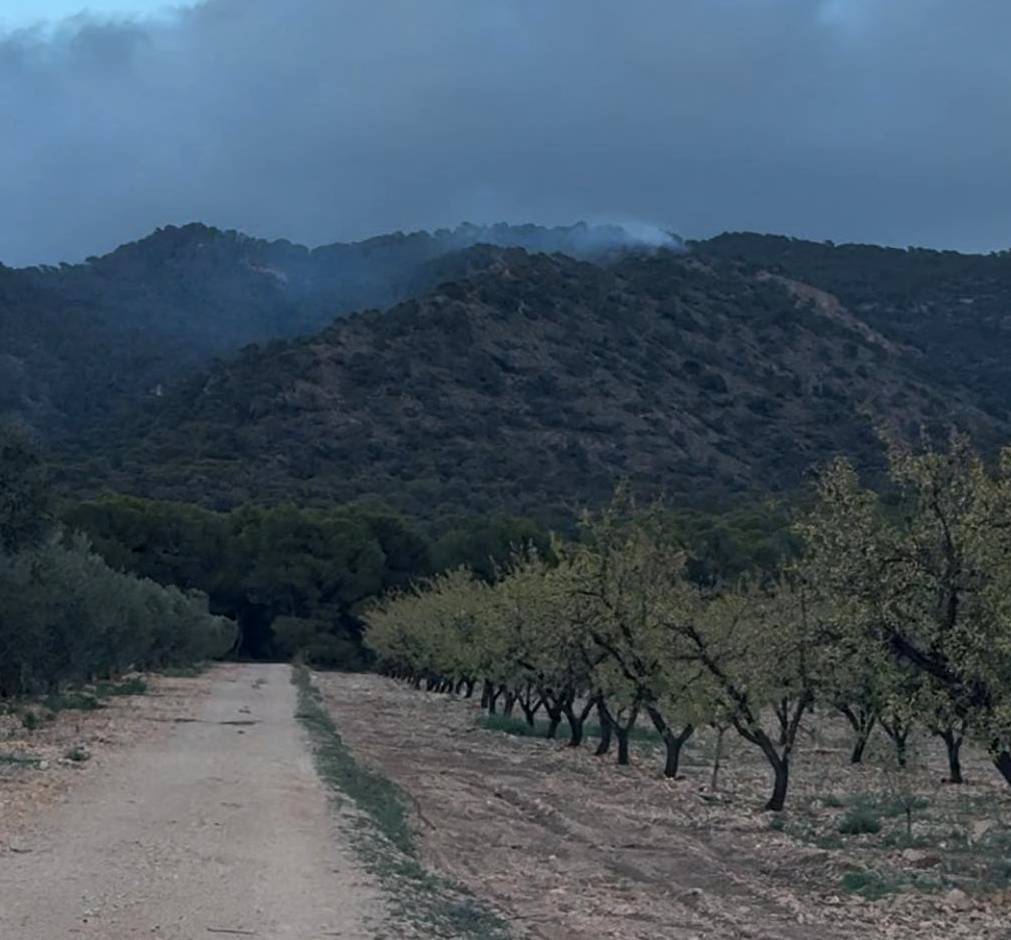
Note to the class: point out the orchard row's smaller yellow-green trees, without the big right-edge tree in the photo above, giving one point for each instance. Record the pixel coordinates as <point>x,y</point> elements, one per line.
<point>617,619</point>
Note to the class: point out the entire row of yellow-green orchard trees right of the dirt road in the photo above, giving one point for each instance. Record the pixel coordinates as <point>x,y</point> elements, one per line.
<point>897,611</point>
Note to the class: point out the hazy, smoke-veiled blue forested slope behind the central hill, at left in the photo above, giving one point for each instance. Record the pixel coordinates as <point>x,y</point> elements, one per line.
<point>82,344</point>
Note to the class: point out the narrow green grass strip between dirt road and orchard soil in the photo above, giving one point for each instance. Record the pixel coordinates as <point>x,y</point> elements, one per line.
<point>384,837</point>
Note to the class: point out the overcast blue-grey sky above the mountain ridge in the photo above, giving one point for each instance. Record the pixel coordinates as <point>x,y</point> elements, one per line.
<point>323,121</point>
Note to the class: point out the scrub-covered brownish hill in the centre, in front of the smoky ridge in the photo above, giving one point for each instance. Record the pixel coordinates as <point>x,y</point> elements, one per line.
<point>533,384</point>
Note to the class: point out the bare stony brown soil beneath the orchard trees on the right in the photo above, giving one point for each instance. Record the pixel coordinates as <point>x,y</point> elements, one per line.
<point>572,847</point>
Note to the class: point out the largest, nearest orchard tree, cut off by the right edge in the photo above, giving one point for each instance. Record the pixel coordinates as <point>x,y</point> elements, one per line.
<point>929,582</point>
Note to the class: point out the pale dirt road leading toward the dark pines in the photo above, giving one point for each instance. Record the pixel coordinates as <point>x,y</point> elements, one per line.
<point>221,830</point>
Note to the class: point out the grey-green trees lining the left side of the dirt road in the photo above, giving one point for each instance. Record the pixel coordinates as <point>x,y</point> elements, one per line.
<point>65,615</point>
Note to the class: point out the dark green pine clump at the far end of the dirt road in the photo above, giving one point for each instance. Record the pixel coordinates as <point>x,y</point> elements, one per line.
<point>293,579</point>
